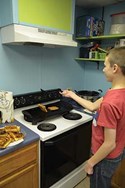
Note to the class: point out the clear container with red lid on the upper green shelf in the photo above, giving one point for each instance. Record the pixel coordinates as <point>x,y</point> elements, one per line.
<point>118,23</point>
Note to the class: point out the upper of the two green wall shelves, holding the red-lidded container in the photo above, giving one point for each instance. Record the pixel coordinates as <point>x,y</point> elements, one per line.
<point>101,37</point>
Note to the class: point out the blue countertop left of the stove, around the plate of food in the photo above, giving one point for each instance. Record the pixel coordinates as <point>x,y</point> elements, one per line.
<point>30,137</point>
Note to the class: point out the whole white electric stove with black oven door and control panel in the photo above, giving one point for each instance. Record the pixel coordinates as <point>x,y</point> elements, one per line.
<point>63,149</point>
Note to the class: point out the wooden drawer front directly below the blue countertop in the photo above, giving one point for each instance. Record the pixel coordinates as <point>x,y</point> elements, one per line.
<point>18,159</point>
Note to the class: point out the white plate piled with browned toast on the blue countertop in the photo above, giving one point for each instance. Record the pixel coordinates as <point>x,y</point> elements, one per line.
<point>11,135</point>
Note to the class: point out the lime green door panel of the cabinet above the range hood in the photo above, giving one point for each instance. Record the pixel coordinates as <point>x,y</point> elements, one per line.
<point>56,14</point>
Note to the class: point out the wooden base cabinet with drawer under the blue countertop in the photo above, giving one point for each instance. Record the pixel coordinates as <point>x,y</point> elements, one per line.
<point>20,168</point>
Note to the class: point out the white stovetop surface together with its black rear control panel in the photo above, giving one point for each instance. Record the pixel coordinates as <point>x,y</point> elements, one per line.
<point>30,100</point>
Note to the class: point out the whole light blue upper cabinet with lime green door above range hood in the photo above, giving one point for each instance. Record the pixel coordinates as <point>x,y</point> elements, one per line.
<point>56,15</point>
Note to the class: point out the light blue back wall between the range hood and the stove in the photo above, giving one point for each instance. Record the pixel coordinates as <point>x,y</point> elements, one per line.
<point>27,68</point>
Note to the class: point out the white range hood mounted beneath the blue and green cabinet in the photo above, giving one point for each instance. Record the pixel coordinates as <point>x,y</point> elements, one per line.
<point>20,34</point>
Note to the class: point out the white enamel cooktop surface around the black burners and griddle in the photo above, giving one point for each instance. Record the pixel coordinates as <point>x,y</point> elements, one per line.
<point>61,123</point>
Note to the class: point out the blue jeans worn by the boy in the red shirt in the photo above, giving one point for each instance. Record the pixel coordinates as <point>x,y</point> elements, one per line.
<point>103,171</point>
